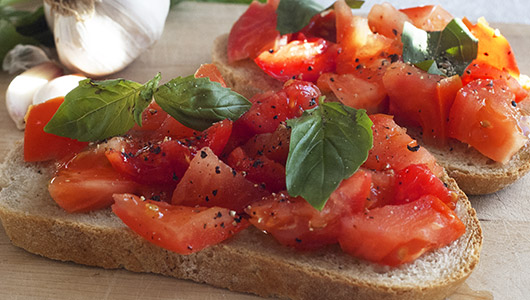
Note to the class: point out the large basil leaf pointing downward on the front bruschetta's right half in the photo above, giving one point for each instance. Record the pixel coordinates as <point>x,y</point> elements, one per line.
<point>328,144</point>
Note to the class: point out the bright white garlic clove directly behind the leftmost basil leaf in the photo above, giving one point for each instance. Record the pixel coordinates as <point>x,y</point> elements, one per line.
<point>57,87</point>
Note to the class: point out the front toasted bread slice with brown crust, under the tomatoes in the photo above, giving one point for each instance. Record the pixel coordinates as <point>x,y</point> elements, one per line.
<point>250,262</point>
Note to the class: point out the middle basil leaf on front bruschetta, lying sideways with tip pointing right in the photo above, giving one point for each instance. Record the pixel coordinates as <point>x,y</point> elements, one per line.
<point>198,102</point>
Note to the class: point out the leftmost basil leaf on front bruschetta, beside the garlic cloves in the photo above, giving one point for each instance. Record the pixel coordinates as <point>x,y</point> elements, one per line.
<point>96,110</point>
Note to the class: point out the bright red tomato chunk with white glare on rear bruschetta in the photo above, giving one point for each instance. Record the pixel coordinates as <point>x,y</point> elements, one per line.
<point>300,59</point>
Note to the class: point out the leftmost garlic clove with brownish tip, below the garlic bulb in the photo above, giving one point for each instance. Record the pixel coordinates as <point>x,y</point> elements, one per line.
<point>19,94</point>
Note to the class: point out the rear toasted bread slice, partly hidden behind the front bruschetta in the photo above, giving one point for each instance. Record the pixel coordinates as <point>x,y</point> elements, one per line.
<point>474,173</point>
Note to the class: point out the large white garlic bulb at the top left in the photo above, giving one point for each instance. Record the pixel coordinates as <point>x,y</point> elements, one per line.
<point>100,37</point>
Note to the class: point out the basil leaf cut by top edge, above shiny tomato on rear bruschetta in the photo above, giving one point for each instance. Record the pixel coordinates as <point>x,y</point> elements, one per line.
<point>293,15</point>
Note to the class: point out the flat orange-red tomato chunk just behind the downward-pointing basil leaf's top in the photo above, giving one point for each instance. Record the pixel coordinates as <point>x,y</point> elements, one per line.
<point>355,92</point>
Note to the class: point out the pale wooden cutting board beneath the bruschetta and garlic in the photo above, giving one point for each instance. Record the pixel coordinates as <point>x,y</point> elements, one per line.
<point>186,43</point>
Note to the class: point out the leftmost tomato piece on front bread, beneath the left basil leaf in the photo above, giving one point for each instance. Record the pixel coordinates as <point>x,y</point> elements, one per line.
<point>42,146</point>
